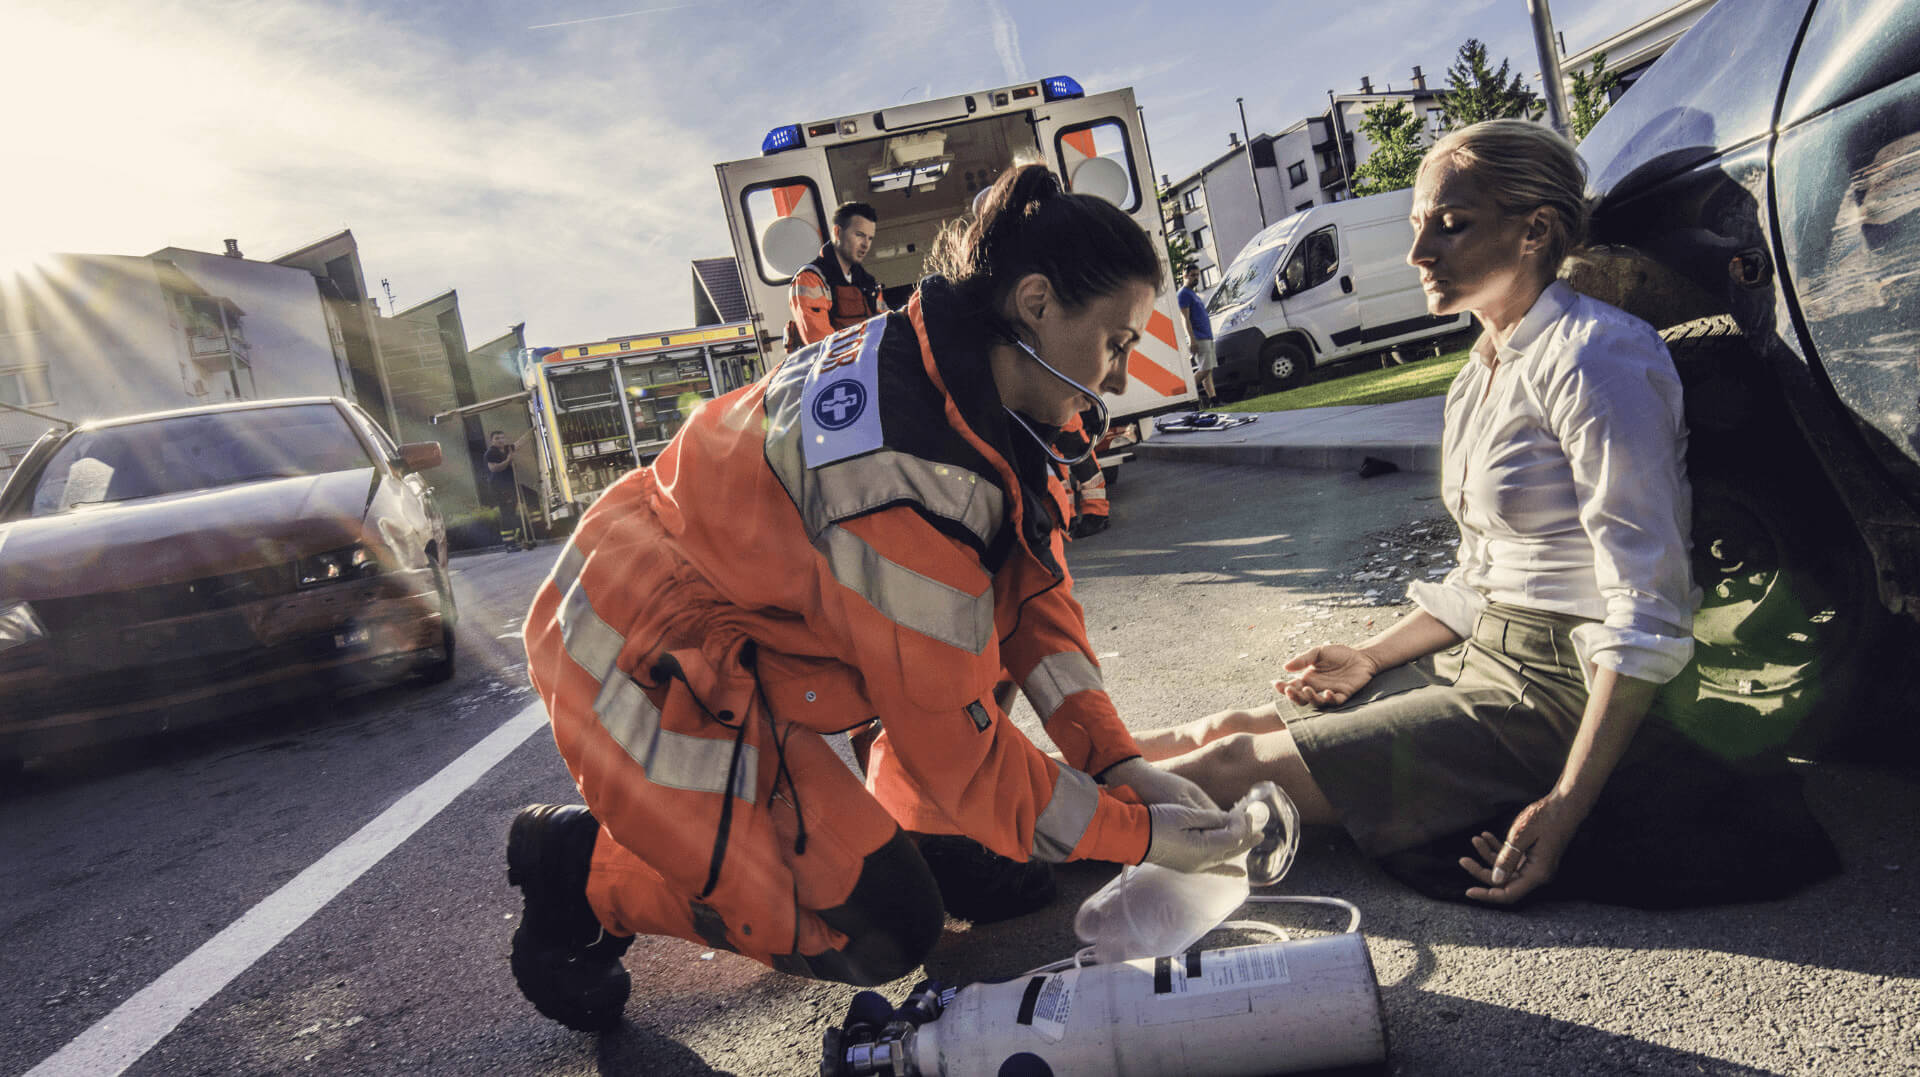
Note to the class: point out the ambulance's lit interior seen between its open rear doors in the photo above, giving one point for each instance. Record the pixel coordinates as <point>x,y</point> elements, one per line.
<point>923,179</point>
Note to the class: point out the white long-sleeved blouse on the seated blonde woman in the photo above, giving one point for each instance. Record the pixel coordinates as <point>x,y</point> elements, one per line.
<point>1564,462</point>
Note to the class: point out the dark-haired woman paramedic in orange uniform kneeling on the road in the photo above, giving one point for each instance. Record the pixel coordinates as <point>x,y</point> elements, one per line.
<point>869,533</point>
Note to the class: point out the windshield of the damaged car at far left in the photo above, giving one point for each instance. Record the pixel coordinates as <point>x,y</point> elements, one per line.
<point>197,452</point>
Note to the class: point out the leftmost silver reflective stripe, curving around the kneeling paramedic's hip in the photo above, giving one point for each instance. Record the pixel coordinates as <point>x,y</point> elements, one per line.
<point>671,759</point>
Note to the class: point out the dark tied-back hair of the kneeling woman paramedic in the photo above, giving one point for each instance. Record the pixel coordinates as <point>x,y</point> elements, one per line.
<point>1086,247</point>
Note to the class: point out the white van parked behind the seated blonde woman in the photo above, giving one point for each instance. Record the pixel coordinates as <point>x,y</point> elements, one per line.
<point>1326,285</point>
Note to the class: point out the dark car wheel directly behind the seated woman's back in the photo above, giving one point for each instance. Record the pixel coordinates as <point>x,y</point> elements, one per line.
<point>1790,634</point>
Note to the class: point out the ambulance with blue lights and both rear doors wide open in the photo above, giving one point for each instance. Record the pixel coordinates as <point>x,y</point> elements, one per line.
<point>921,166</point>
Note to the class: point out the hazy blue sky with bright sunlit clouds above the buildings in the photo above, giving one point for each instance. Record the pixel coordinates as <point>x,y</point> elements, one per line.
<point>552,160</point>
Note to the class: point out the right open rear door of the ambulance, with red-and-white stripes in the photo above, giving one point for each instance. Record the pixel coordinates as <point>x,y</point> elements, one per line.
<point>1097,149</point>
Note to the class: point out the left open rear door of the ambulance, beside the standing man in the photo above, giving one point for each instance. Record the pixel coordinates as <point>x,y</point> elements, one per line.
<point>777,210</point>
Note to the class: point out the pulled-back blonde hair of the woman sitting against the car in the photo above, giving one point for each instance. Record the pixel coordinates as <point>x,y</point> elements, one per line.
<point>1524,168</point>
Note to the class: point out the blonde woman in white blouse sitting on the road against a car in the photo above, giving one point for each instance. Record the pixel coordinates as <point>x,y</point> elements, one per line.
<point>1564,464</point>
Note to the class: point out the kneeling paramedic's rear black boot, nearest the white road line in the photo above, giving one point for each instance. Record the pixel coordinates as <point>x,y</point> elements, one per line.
<point>565,965</point>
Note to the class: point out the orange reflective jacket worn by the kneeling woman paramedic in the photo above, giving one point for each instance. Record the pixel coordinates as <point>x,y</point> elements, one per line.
<point>873,521</point>
